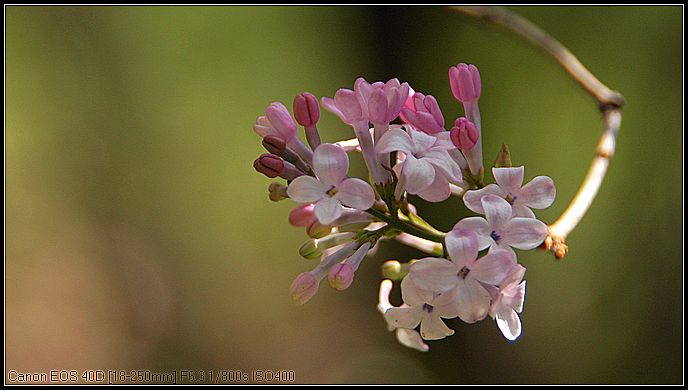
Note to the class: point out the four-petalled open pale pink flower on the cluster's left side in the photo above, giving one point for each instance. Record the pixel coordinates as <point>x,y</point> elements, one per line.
<point>331,189</point>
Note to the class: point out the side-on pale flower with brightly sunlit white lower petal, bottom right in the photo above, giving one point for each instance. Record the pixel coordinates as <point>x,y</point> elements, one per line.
<point>507,302</point>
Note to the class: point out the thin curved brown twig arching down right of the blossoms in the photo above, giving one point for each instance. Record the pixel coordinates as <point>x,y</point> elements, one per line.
<point>609,101</point>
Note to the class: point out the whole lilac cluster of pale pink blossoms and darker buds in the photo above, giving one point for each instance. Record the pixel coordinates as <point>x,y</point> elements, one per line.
<point>473,271</point>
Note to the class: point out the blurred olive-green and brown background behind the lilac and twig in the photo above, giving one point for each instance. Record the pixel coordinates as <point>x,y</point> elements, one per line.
<point>138,235</point>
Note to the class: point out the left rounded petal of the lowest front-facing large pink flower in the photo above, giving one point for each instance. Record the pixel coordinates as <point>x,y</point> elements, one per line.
<point>434,274</point>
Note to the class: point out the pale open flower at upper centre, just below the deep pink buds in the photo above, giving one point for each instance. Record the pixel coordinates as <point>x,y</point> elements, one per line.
<point>427,168</point>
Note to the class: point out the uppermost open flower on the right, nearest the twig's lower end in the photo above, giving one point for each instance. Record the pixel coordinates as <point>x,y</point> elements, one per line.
<point>539,193</point>
